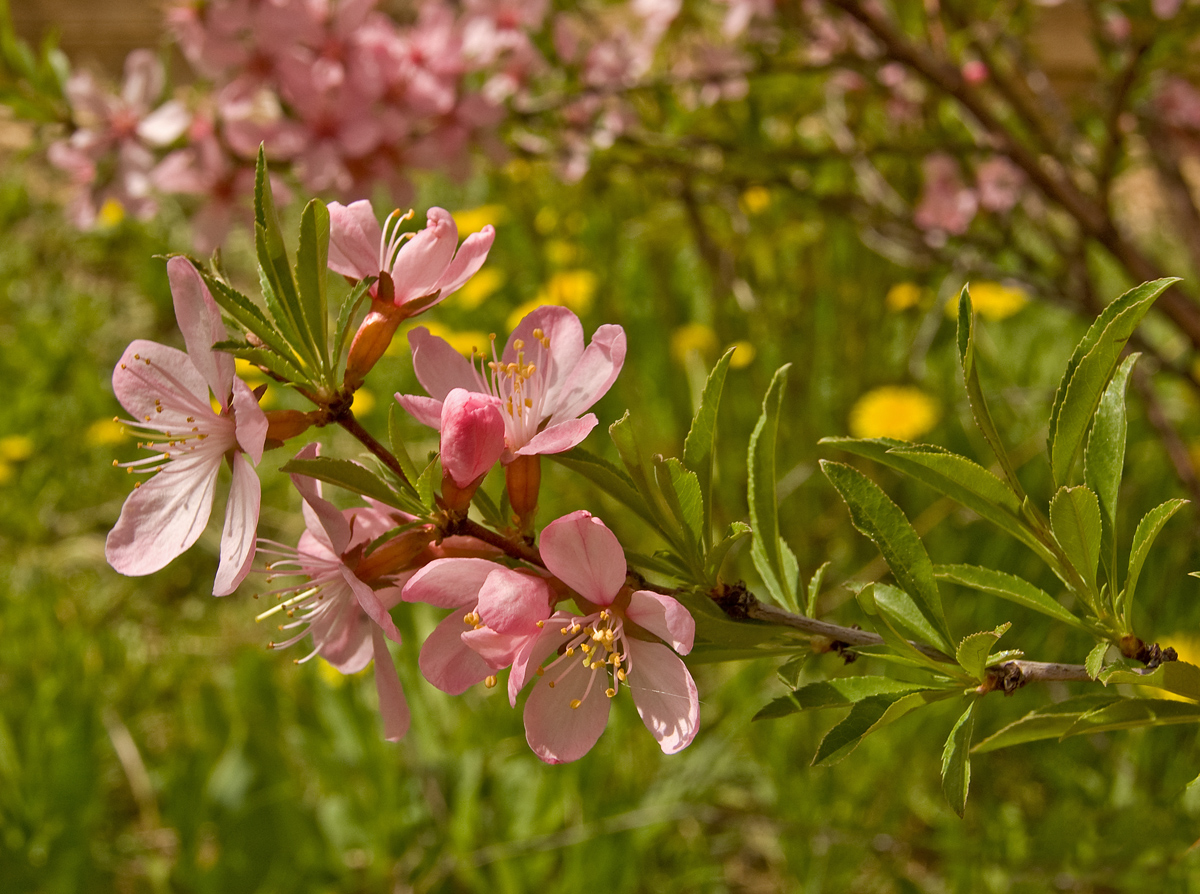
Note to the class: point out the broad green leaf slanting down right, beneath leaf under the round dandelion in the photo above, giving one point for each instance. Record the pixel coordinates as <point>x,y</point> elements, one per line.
<point>878,518</point>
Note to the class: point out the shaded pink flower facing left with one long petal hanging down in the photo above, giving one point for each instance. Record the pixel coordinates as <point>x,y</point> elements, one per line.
<point>341,602</point>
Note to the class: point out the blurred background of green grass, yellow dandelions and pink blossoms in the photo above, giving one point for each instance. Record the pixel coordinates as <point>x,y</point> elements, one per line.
<point>812,184</point>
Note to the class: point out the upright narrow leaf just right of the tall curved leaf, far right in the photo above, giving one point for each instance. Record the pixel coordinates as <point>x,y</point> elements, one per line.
<point>1105,463</point>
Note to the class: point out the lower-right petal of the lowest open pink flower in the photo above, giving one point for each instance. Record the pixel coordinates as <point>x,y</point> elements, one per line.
<point>665,695</point>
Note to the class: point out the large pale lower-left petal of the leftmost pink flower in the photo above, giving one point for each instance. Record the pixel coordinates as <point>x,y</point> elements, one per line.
<point>164,518</point>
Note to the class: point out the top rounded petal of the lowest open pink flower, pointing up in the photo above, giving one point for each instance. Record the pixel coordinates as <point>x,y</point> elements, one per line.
<point>581,553</point>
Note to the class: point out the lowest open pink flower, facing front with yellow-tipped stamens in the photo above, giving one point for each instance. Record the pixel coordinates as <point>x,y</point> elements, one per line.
<point>568,707</point>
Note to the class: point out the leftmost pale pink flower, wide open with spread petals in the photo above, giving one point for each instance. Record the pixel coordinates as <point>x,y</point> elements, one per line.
<point>167,393</point>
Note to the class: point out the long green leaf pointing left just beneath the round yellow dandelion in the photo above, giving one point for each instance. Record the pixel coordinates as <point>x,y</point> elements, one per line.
<point>961,483</point>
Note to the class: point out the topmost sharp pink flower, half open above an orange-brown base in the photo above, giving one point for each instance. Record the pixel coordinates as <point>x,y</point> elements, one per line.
<point>424,269</point>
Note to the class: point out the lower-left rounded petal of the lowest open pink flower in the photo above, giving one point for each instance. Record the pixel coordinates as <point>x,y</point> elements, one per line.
<point>555,730</point>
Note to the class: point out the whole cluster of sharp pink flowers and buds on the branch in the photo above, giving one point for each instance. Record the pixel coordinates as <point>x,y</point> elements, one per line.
<point>353,567</point>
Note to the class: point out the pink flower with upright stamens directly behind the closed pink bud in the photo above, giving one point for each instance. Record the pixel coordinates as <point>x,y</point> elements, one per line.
<point>543,382</point>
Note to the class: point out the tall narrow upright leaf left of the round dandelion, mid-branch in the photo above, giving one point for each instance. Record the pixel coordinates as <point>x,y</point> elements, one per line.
<point>770,553</point>
